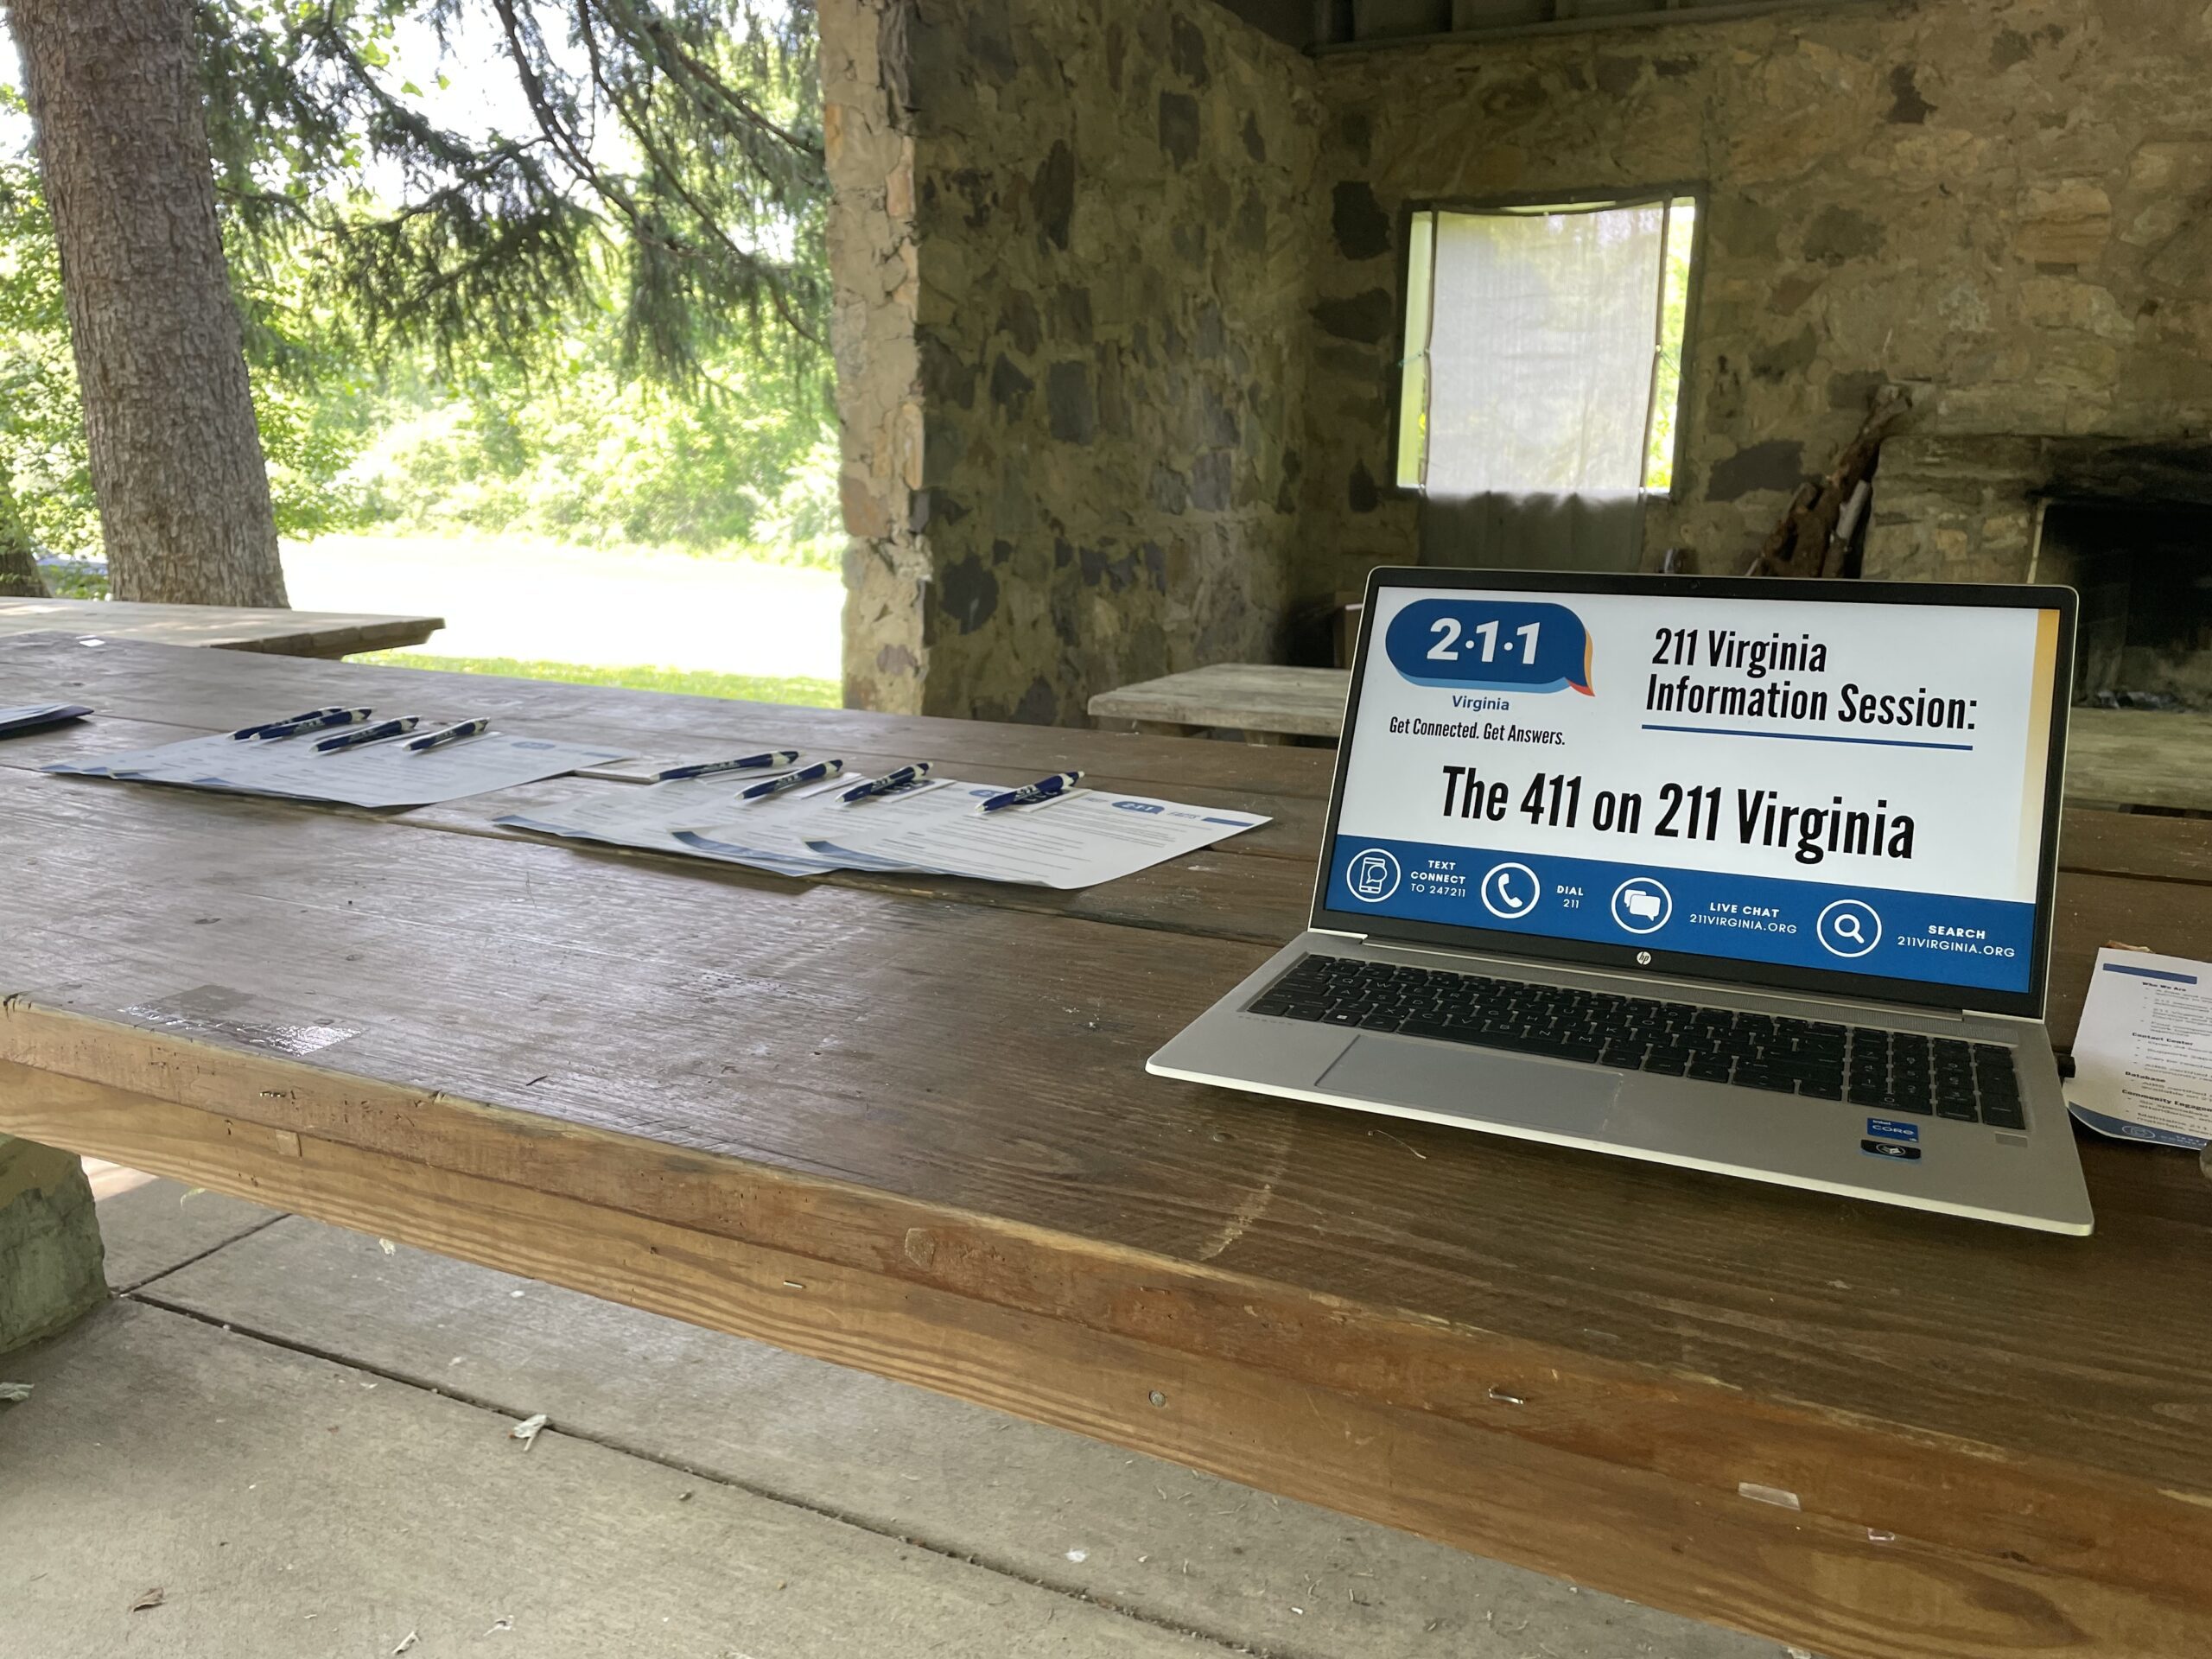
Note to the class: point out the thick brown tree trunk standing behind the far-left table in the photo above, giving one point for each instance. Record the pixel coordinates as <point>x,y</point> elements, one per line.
<point>185,494</point>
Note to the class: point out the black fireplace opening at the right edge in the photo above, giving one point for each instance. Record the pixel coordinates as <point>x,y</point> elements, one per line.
<point>2145,574</point>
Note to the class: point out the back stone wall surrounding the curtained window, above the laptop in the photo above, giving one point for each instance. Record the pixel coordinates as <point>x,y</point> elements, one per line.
<point>2003,205</point>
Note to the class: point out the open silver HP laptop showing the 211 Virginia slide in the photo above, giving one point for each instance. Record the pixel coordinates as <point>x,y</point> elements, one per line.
<point>1746,877</point>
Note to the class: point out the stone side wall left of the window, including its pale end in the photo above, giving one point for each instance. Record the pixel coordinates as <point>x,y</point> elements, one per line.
<point>1109,269</point>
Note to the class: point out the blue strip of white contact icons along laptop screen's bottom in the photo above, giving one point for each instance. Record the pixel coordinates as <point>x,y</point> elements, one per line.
<point>1755,919</point>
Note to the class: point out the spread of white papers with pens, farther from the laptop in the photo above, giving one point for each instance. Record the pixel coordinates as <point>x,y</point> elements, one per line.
<point>375,775</point>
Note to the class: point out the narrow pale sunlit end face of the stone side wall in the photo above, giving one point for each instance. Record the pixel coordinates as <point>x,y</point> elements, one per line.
<point>873,335</point>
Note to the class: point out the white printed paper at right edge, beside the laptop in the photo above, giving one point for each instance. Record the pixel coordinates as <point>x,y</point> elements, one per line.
<point>2145,1050</point>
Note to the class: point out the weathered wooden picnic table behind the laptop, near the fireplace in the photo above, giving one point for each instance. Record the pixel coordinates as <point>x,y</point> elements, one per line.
<point>2118,755</point>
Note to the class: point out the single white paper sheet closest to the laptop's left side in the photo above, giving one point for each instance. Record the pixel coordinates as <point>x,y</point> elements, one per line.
<point>1067,844</point>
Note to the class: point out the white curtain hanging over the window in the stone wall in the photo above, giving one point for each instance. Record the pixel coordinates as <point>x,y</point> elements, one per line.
<point>1541,351</point>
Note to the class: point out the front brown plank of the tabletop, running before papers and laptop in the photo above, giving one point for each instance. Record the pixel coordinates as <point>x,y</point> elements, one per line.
<point>811,1041</point>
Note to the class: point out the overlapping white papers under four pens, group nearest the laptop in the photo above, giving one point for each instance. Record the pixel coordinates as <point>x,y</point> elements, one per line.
<point>1078,839</point>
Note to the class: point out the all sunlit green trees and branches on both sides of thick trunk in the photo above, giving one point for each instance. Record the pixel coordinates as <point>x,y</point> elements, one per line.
<point>601,342</point>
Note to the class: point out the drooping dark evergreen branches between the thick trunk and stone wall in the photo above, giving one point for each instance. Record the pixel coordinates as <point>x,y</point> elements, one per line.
<point>674,160</point>
